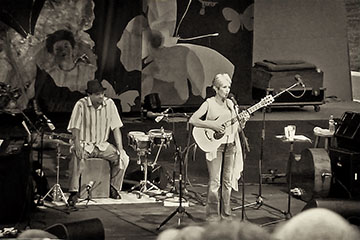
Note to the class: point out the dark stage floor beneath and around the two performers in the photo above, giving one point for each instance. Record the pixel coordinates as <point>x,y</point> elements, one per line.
<point>140,220</point>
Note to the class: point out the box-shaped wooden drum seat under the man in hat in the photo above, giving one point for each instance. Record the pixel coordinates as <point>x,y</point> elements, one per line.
<point>97,171</point>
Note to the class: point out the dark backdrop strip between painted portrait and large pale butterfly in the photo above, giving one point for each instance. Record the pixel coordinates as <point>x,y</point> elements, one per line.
<point>111,18</point>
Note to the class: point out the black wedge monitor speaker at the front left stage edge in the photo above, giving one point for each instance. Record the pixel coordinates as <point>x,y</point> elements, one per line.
<point>90,229</point>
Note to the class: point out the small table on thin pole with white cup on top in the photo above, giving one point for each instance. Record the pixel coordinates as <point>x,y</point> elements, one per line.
<point>298,139</point>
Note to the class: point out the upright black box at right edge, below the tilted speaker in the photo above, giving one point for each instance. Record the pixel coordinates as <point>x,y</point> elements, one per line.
<point>345,165</point>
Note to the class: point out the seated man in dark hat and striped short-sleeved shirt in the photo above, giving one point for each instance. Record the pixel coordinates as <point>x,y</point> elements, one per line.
<point>91,120</point>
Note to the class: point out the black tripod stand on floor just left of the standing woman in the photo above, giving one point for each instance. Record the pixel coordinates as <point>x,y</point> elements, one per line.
<point>180,209</point>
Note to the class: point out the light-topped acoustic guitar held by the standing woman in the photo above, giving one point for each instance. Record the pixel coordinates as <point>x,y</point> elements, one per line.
<point>208,140</point>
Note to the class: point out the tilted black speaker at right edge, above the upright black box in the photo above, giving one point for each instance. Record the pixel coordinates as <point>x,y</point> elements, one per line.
<point>348,132</point>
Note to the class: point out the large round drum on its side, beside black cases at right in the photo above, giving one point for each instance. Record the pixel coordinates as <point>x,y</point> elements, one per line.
<point>312,173</point>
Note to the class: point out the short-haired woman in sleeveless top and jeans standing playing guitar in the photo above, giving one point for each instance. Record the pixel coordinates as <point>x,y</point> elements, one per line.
<point>218,136</point>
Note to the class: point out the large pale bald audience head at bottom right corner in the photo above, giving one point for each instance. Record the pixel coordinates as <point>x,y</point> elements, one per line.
<point>316,223</point>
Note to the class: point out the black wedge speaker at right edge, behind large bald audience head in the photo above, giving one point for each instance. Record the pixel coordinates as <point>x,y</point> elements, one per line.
<point>349,209</point>
